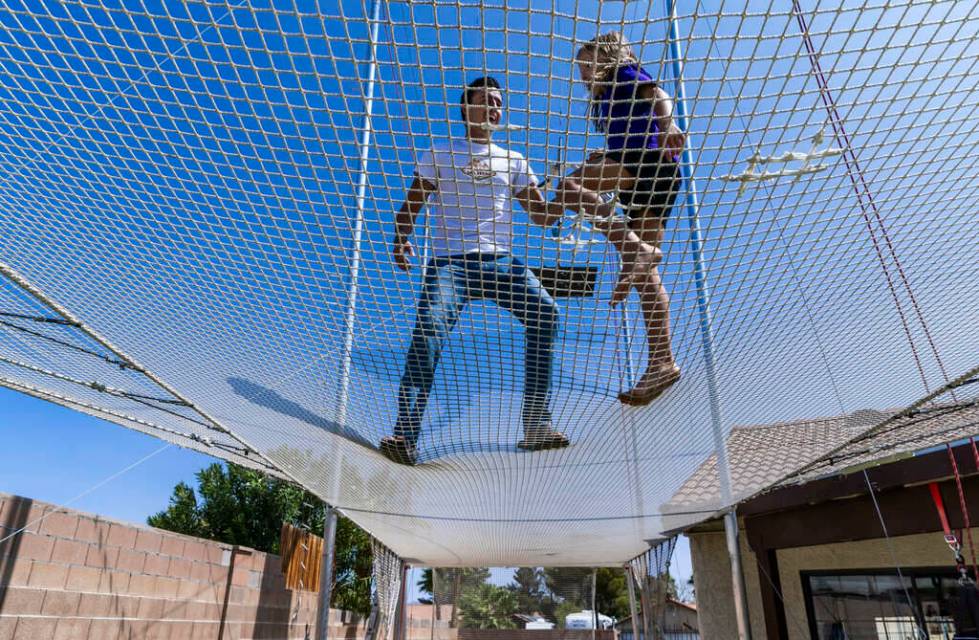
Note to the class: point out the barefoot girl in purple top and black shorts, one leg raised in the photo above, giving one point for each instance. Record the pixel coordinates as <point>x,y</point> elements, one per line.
<point>641,164</point>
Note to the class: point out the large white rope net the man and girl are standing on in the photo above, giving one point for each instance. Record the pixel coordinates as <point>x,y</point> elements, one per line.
<point>186,180</point>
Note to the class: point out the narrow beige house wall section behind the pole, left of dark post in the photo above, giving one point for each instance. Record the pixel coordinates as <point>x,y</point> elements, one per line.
<point>715,591</point>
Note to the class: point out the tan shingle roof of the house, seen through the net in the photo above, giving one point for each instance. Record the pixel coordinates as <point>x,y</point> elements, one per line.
<point>764,456</point>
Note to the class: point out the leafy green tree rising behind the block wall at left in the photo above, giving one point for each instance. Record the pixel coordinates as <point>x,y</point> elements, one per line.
<point>246,507</point>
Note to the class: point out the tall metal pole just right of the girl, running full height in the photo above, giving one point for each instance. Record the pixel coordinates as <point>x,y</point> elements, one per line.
<point>707,334</point>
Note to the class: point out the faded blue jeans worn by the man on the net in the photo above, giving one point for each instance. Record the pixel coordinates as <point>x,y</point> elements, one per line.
<point>449,284</point>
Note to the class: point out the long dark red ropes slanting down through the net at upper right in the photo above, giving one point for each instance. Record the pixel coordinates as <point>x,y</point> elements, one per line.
<point>862,189</point>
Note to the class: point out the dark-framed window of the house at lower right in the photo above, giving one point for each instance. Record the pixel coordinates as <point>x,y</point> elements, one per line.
<point>880,605</point>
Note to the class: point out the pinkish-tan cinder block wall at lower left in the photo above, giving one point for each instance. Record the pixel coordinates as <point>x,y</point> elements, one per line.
<point>77,576</point>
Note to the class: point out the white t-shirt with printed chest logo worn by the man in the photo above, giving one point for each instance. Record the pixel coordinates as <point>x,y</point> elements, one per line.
<point>473,205</point>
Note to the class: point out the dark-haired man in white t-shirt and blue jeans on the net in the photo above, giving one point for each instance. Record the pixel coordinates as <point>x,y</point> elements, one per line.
<point>474,183</point>
